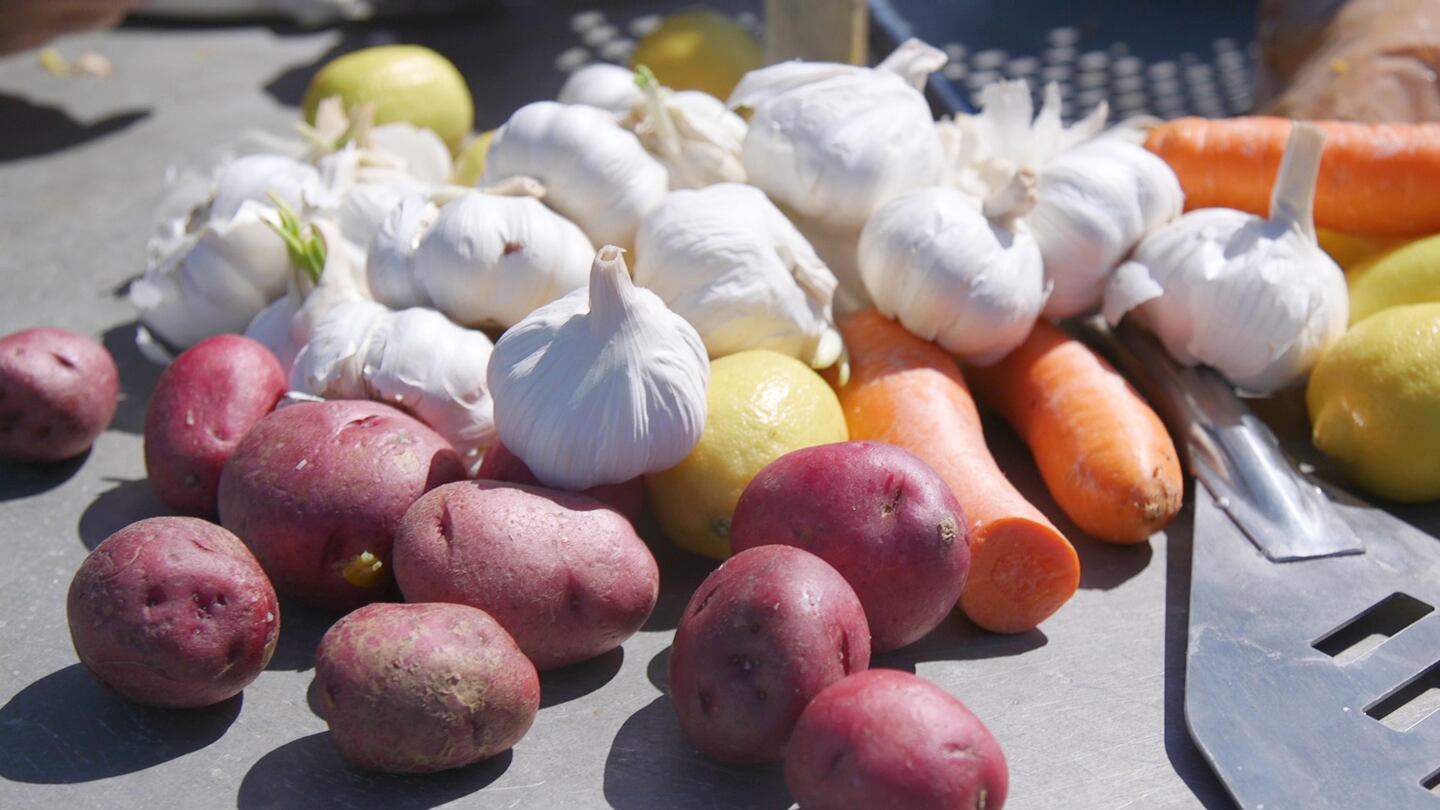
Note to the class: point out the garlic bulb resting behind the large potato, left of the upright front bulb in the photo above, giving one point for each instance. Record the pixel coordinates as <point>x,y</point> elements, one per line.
<point>364,351</point>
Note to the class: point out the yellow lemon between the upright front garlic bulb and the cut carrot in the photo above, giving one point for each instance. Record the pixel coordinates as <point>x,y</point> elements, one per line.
<point>761,406</point>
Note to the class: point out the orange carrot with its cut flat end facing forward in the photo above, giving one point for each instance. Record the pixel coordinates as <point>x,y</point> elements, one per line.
<point>909,393</point>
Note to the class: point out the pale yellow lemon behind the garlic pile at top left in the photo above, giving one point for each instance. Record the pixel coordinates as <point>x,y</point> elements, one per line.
<point>405,83</point>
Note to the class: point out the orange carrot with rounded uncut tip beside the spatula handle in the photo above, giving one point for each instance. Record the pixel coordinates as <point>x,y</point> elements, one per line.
<point>1104,453</point>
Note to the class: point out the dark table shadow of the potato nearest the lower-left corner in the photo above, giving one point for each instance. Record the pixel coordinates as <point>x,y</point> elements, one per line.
<point>67,729</point>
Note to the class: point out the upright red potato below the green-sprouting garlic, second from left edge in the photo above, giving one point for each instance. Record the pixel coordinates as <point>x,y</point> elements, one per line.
<point>204,404</point>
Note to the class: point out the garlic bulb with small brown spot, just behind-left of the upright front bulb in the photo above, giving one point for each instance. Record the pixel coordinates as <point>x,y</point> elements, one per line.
<point>490,260</point>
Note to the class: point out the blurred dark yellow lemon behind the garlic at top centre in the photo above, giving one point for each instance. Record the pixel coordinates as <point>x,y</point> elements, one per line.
<point>699,50</point>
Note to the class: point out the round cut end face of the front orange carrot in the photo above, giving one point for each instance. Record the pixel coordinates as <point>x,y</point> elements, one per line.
<point>1022,573</point>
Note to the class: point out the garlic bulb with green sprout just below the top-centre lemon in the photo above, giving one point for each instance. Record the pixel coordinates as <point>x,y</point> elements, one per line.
<point>692,133</point>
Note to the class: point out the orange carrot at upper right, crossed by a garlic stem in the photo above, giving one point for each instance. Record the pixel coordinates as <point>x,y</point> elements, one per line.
<point>1376,179</point>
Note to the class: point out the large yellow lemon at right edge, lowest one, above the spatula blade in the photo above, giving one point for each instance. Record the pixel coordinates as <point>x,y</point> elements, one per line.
<point>1374,403</point>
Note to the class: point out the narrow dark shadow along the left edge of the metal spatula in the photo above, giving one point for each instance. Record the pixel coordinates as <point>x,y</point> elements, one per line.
<point>1182,752</point>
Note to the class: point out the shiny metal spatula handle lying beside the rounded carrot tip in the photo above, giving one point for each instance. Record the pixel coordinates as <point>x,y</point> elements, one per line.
<point>1232,452</point>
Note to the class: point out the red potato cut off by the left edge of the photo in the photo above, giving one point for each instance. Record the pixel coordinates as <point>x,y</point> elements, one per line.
<point>58,393</point>
